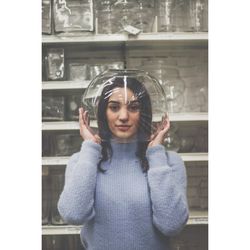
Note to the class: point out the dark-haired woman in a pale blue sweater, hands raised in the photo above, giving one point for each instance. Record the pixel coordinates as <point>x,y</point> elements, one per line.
<point>123,187</point>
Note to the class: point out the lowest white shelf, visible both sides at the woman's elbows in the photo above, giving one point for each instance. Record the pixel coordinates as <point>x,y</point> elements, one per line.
<point>195,218</point>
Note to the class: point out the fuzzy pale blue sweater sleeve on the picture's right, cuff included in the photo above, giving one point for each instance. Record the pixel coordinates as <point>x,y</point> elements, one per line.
<point>167,183</point>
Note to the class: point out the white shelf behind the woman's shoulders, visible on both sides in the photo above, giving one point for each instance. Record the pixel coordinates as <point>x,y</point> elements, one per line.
<point>63,160</point>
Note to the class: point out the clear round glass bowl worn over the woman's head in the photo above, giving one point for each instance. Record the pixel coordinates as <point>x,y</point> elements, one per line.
<point>133,94</point>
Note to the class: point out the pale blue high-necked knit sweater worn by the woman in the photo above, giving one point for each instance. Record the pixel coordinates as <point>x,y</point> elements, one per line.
<point>124,208</point>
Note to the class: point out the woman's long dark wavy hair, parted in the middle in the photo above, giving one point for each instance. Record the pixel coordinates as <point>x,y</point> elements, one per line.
<point>145,121</point>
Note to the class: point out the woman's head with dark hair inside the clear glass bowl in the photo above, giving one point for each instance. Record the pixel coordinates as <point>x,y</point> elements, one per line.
<point>124,110</point>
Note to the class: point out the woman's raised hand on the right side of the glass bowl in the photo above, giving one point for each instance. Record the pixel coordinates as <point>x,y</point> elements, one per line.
<point>159,135</point>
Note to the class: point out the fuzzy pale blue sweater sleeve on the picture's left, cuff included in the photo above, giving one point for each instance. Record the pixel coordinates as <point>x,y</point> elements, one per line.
<point>76,202</point>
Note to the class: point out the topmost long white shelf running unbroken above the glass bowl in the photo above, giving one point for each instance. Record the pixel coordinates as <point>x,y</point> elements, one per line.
<point>121,38</point>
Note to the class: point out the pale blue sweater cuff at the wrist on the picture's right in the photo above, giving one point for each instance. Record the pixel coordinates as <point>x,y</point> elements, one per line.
<point>156,156</point>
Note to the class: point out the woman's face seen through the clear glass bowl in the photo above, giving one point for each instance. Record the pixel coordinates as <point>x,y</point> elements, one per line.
<point>123,113</point>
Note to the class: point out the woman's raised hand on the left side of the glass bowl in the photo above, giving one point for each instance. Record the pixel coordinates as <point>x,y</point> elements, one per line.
<point>85,131</point>
